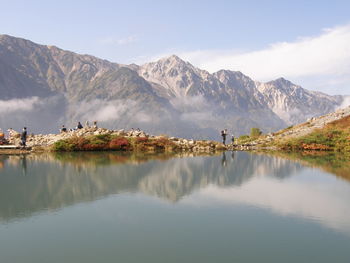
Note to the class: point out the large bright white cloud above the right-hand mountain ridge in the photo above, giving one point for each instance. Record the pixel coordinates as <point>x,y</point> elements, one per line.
<point>328,53</point>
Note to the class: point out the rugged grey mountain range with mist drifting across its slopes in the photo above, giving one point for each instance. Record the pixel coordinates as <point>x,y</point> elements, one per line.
<point>43,87</point>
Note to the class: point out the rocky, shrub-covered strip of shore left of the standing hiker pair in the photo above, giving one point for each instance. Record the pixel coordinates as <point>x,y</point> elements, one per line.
<point>101,139</point>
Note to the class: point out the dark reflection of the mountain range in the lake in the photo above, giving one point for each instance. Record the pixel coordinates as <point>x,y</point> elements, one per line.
<point>37,182</point>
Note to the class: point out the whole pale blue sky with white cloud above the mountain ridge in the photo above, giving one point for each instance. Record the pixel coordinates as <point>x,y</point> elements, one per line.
<point>306,42</point>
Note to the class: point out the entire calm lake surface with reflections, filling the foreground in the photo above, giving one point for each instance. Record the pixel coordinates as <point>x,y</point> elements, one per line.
<point>233,207</point>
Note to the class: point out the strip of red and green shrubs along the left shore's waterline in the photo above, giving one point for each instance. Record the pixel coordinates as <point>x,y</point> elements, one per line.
<point>109,142</point>
